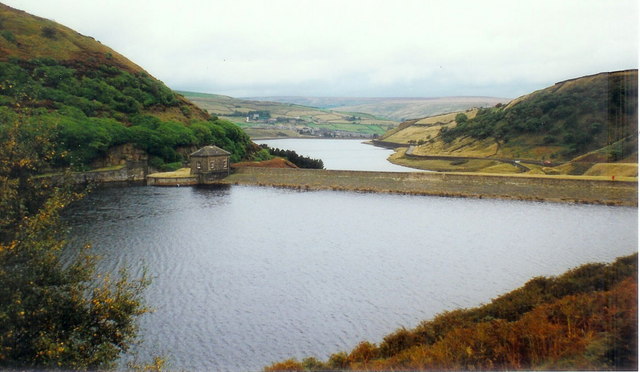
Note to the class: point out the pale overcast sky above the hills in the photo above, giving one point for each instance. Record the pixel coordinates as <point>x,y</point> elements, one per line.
<point>359,48</point>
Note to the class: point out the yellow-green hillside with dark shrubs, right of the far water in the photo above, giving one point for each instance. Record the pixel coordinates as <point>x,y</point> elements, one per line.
<point>573,125</point>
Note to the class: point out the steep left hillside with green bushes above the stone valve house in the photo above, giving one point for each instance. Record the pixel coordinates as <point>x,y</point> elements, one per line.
<point>87,101</point>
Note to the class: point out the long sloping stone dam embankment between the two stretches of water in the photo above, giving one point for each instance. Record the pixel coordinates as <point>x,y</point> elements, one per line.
<point>520,187</point>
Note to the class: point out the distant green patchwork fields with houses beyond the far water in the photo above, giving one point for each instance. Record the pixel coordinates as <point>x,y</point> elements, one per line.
<point>273,119</point>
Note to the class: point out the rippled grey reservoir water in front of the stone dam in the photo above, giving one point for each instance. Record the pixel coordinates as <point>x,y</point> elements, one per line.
<point>244,276</point>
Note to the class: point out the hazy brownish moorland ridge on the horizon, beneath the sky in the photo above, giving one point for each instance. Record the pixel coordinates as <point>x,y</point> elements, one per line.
<point>393,108</point>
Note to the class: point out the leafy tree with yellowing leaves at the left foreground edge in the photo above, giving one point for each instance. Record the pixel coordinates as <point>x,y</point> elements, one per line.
<point>52,315</point>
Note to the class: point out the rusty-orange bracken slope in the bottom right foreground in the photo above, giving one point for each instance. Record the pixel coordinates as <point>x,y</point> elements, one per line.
<point>584,319</point>
